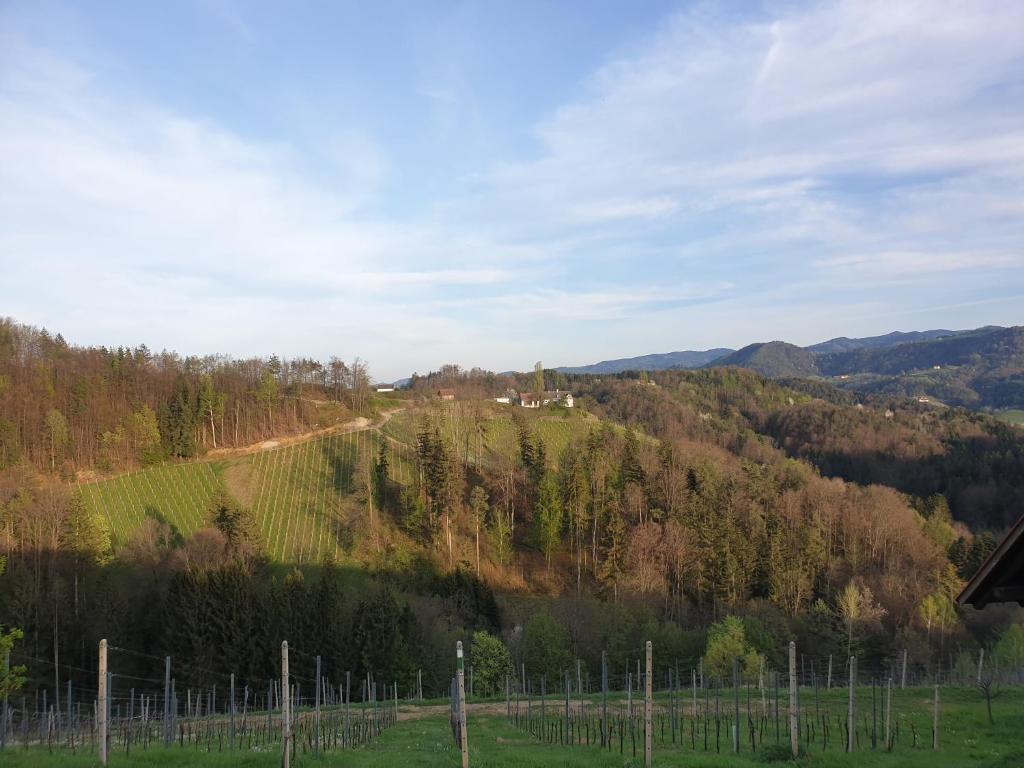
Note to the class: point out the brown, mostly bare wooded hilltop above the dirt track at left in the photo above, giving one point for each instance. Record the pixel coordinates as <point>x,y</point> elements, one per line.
<point>66,409</point>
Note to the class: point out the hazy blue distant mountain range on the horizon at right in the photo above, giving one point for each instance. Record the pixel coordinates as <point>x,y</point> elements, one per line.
<point>979,368</point>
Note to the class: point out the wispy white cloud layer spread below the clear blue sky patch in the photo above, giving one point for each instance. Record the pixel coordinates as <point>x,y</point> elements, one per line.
<point>704,185</point>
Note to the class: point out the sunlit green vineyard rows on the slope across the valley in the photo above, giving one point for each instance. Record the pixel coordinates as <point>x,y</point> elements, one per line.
<point>310,499</point>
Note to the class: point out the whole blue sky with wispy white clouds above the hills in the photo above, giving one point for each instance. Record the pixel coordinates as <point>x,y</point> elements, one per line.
<point>495,184</point>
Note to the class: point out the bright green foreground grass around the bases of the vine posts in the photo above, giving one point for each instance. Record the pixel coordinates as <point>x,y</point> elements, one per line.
<point>966,741</point>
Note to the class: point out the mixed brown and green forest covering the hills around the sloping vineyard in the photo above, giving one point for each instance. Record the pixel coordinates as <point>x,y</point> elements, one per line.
<point>679,501</point>
